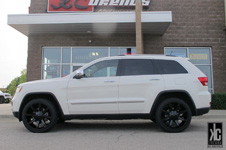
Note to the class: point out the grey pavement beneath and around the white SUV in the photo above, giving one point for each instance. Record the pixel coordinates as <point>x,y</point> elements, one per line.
<point>106,135</point>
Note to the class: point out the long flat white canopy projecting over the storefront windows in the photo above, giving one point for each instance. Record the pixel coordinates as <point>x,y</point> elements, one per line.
<point>153,22</point>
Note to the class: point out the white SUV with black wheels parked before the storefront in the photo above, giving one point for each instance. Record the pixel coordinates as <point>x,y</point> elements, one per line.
<point>168,90</point>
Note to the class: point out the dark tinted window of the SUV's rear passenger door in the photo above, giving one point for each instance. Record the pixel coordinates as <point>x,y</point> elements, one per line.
<point>137,67</point>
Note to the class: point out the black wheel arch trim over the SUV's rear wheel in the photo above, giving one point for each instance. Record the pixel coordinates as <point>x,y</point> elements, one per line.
<point>183,95</point>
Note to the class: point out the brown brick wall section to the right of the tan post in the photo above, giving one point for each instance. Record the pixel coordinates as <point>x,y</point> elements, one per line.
<point>196,23</point>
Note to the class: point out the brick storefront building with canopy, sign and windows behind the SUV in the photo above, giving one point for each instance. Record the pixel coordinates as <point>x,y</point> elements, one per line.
<point>66,34</point>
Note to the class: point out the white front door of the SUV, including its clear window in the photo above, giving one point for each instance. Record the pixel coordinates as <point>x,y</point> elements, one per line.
<point>97,92</point>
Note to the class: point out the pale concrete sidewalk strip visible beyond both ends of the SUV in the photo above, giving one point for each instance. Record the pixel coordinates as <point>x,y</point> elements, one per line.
<point>5,112</point>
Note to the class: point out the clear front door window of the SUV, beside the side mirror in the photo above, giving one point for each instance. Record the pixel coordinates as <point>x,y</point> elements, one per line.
<point>107,68</point>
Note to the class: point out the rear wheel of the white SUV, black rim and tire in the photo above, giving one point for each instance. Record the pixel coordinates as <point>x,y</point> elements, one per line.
<point>173,115</point>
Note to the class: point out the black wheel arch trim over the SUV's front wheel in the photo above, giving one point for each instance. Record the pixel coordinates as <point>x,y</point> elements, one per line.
<point>45,95</point>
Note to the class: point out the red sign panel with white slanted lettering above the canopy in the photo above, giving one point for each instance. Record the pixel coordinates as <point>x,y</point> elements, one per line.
<point>88,5</point>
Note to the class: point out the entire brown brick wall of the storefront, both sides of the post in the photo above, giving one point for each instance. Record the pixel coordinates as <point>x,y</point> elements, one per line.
<point>196,23</point>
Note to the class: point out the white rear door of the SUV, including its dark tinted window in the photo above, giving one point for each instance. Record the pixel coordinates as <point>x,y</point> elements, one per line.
<point>139,84</point>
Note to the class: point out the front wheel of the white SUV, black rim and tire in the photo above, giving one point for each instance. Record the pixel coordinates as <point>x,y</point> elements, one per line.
<point>39,115</point>
